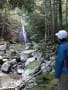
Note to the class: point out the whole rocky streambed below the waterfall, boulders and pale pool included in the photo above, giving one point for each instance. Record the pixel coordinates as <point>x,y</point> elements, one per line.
<point>19,67</point>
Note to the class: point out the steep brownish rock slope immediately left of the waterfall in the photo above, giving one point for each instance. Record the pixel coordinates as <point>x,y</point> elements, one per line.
<point>8,28</point>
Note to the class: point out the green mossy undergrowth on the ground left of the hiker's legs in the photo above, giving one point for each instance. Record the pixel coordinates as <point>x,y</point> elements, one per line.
<point>45,82</point>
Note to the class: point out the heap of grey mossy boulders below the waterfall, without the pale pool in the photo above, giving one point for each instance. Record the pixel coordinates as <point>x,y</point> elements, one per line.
<point>27,64</point>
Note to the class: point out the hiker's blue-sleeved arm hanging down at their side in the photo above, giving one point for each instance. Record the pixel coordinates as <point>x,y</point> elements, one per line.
<point>59,61</point>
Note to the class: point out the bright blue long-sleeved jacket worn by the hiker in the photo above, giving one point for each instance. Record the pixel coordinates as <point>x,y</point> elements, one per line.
<point>62,60</point>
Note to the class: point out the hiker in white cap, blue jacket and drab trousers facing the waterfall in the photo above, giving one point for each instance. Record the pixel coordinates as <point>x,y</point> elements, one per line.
<point>61,67</point>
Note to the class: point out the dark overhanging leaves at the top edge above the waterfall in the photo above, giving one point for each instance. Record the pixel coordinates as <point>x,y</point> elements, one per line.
<point>26,4</point>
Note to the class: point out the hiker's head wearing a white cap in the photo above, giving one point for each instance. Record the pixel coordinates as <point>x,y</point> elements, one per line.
<point>61,35</point>
